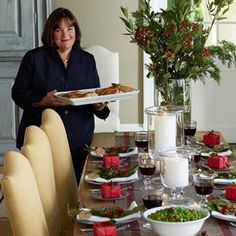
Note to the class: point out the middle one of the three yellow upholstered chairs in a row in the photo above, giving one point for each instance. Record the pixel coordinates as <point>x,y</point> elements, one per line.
<point>37,150</point>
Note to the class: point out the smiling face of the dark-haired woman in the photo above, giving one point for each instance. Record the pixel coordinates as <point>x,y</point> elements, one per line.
<point>64,36</point>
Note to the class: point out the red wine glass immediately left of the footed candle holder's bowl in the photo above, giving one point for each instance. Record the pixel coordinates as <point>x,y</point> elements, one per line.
<point>147,166</point>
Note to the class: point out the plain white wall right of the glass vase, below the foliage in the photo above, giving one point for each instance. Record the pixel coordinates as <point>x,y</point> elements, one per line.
<point>214,106</point>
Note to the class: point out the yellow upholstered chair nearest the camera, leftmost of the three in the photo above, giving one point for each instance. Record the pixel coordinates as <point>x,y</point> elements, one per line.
<point>22,197</point>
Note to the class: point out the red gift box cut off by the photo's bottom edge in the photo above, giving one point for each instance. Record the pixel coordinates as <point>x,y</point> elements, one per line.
<point>104,229</point>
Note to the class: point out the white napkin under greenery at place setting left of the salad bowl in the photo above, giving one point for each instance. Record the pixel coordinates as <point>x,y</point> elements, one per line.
<point>94,219</point>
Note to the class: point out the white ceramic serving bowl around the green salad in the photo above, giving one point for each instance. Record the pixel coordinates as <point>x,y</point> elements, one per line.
<point>189,228</point>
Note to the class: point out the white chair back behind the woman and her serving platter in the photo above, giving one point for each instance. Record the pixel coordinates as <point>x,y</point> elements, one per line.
<point>107,63</point>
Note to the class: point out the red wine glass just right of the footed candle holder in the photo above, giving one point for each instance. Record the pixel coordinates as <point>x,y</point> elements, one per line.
<point>204,184</point>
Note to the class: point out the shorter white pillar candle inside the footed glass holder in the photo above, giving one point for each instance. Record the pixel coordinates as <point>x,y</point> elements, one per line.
<point>176,172</point>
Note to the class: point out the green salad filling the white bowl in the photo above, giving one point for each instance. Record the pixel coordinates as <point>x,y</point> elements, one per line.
<point>177,214</point>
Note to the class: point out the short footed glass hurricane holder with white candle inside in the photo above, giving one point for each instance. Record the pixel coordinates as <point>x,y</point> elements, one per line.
<point>176,173</point>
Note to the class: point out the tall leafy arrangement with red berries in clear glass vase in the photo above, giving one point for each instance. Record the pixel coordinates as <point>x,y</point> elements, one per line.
<point>176,42</point>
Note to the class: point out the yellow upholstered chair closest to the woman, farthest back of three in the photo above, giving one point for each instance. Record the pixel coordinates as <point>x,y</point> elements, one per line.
<point>66,183</point>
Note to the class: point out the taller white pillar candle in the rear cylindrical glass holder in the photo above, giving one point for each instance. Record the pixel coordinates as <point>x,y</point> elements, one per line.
<point>165,131</point>
